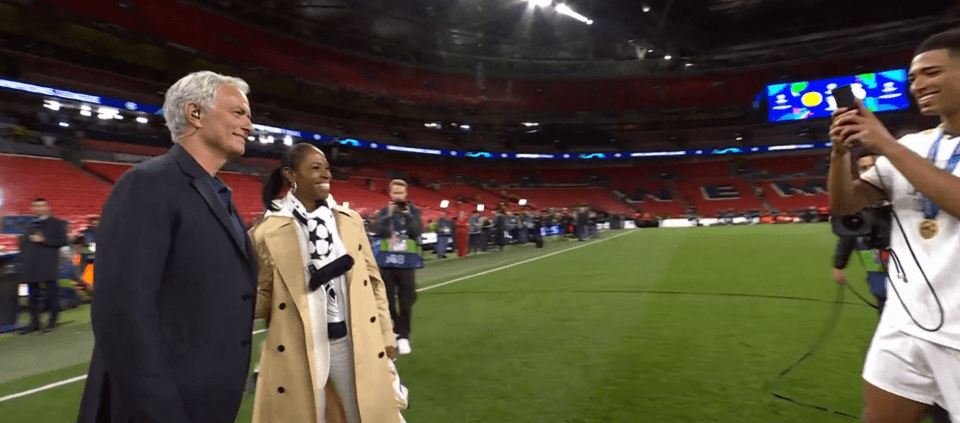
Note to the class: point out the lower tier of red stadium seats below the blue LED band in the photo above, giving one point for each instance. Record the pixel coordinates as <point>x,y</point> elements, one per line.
<point>708,187</point>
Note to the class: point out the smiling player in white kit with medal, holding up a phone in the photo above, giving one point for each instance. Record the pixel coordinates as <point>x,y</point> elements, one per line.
<point>913,362</point>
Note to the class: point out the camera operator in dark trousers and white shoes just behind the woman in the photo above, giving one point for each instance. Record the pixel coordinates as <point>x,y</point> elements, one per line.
<point>400,227</point>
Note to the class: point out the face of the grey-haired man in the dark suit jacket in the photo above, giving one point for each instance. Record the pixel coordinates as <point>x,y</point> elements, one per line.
<point>225,127</point>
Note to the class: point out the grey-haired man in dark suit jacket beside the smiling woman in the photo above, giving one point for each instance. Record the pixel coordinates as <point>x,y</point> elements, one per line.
<point>176,273</point>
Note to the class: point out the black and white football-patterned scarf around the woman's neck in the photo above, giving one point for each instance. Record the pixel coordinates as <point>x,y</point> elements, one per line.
<point>328,259</point>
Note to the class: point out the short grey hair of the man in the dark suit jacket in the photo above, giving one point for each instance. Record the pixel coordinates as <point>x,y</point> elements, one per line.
<point>198,87</point>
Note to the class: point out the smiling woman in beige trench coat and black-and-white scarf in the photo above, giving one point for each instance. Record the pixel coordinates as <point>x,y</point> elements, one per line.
<point>297,376</point>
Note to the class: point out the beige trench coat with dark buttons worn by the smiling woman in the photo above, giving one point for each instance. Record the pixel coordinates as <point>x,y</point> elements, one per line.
<point>285,389</point>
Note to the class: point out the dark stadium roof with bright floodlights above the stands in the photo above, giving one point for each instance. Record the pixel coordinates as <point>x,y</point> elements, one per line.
<point>602,38</point>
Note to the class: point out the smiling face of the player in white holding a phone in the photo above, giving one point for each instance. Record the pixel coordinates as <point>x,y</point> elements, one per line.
<point>935,82</point>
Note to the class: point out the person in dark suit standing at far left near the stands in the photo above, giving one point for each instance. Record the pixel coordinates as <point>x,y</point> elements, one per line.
<point>40,246</point>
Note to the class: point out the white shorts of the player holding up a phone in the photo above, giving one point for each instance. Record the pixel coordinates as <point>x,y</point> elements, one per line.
<point>914,369</point>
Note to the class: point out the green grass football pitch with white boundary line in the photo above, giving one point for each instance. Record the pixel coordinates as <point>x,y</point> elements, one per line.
<point>671,325</point>
